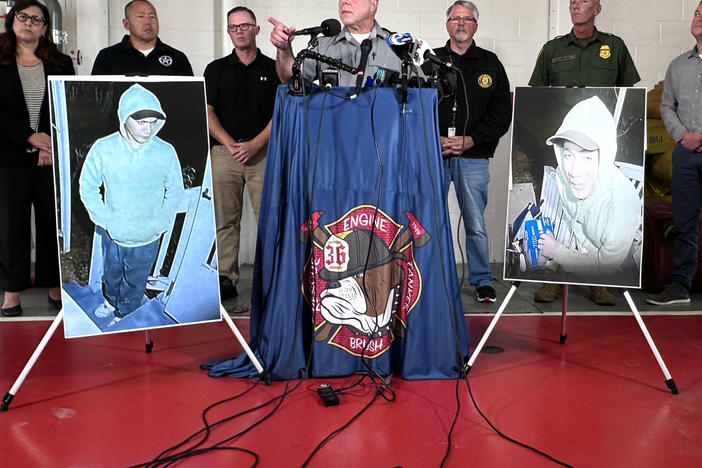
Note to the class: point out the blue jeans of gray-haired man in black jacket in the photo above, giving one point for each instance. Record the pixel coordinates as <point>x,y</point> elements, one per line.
<point>470,178</point>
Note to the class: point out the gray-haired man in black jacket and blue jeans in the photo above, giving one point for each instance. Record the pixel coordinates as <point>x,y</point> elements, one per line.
<point>470,129</point>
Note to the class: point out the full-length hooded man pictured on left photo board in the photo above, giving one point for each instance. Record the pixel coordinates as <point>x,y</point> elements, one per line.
<point>131,185</point>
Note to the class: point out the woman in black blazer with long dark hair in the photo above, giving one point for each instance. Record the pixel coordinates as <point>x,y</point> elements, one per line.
<point>27,57</point>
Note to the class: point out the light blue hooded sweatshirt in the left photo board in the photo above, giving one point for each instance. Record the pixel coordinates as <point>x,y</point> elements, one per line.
<point>142,185</point>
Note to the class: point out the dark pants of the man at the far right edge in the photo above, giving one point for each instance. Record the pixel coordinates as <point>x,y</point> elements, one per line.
<point>687,202</point>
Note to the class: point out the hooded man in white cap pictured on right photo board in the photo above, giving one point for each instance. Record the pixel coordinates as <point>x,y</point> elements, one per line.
<point>601,202</point>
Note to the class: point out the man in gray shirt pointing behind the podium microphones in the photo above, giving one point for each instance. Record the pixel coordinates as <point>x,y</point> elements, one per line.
<point>358,18</point>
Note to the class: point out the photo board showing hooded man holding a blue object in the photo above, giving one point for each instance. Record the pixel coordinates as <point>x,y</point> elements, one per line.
<point>575,204</point>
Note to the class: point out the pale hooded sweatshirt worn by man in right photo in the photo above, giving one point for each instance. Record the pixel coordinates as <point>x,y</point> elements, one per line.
<point>605,222</point>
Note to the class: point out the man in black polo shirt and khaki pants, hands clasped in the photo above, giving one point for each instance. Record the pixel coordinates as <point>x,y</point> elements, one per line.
<point>241,90</point>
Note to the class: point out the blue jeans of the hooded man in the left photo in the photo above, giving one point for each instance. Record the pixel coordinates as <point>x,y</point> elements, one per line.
<point>125,272</point>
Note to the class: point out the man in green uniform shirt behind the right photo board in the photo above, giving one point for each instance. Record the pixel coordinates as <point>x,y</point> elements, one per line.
<point>584,57</point>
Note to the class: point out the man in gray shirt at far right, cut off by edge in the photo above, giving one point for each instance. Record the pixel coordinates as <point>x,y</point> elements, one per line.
<point>681,109</point>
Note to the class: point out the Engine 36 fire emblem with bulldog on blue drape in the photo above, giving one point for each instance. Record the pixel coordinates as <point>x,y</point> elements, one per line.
<point>361,279</point>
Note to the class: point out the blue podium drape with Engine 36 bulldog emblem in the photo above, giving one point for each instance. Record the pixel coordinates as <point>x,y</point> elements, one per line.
<point>354,260</point>
